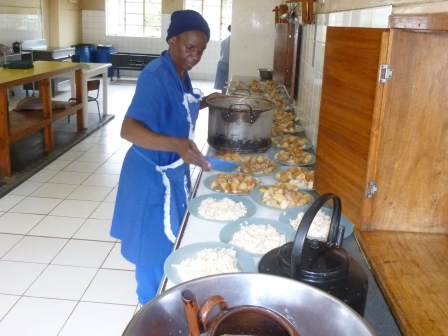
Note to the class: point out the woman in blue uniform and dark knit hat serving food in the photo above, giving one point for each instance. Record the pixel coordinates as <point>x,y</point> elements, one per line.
<point>155,180</point>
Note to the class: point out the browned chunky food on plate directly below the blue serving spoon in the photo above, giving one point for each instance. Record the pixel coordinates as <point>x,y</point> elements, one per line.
<point>234,183</point>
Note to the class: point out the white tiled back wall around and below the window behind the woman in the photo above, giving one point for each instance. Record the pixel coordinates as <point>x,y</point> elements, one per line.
<point>94,32</point>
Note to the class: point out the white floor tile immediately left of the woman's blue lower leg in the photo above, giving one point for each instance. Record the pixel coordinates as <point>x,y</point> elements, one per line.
<point>112,286</point>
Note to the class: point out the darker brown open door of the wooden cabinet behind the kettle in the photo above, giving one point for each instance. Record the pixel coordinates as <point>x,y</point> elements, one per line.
<point>350,94</point>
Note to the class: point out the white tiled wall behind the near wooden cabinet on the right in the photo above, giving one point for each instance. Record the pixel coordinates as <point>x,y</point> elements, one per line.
<point>312,58</point>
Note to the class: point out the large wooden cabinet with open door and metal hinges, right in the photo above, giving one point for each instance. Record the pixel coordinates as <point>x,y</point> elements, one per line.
<point>383,144</point>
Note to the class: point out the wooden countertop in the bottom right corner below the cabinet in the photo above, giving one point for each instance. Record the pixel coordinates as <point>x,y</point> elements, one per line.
<point>412,271</point>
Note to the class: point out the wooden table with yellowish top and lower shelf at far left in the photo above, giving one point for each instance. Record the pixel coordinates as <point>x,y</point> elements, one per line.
<point>17,125</point>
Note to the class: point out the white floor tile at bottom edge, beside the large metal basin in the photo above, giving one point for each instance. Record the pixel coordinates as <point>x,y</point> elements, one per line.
<point>97,319</point>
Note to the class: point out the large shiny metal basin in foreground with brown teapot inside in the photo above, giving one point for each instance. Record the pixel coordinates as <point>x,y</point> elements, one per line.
<point>311,311</point>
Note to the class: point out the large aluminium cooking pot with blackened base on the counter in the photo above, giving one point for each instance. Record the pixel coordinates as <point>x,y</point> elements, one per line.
<point>240,124</point>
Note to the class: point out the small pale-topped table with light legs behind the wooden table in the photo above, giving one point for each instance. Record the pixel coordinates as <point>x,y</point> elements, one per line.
<point>90,70</point>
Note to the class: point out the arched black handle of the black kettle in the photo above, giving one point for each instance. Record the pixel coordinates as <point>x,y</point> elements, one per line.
<point>304,226</point>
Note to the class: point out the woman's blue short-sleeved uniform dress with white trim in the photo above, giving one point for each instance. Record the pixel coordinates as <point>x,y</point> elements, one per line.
<point>154,185</point>
